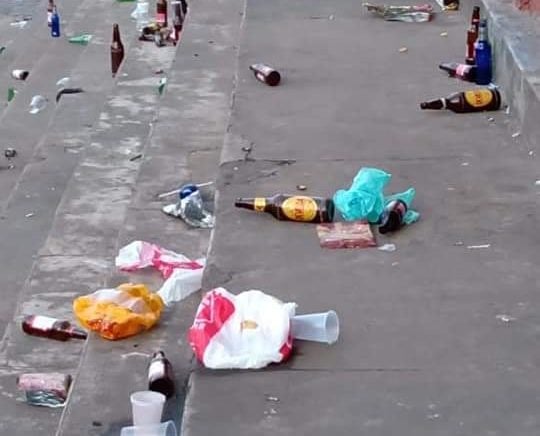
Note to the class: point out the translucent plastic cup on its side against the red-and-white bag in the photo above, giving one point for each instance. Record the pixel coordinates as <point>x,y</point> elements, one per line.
<point>318,327</point>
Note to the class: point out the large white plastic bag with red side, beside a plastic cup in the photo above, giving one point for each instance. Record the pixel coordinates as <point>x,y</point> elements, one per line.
<point>248,330</point>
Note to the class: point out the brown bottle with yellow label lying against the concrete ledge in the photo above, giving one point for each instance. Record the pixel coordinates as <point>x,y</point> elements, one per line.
<point>477,100</point>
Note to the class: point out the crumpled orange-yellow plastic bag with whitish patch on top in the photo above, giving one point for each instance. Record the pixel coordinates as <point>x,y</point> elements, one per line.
<point>119,313</point>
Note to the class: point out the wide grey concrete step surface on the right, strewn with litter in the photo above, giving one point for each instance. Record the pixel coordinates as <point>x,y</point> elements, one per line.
<point>421,351</point>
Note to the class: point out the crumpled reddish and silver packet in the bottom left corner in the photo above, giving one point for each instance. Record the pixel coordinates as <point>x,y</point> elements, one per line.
<point>45,389</point>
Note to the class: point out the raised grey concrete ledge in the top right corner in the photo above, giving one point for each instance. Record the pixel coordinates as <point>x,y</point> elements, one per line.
<point>515,37</point>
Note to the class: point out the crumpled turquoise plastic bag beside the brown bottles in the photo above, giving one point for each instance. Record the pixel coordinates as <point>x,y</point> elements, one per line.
<point>365,199</point>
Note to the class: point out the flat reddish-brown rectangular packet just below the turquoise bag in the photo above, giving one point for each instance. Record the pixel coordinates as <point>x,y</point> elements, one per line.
<point>356,234</point>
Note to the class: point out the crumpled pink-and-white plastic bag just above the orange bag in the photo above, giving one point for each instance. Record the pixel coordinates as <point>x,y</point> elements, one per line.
<point>141,254</point>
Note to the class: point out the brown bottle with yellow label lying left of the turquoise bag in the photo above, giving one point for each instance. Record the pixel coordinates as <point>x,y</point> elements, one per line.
<point>291,207</point>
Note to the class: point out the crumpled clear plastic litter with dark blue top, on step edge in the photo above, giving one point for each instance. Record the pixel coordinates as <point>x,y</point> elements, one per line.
<point>190,208</point>
